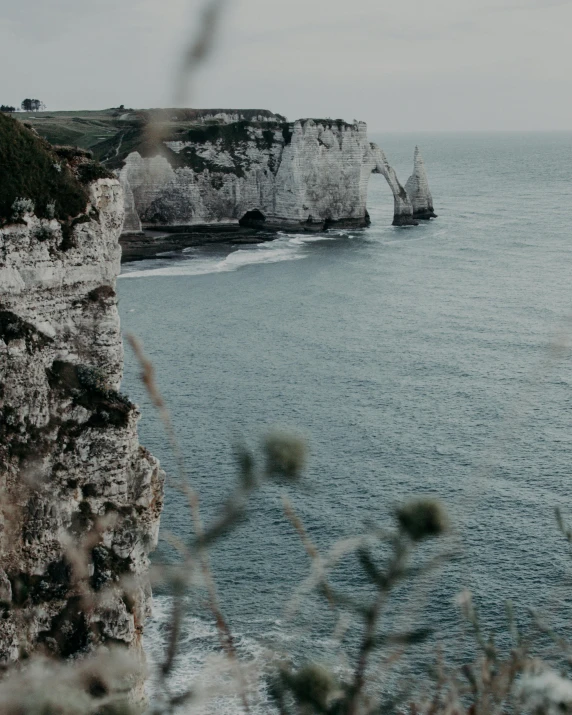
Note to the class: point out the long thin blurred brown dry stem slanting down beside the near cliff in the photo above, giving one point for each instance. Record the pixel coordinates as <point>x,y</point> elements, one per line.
<point>225,634</point>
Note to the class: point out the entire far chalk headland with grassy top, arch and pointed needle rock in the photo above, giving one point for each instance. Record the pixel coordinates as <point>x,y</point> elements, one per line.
<point>195,168</point>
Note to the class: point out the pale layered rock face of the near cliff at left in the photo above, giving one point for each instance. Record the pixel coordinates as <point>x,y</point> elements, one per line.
<point>80,499</point>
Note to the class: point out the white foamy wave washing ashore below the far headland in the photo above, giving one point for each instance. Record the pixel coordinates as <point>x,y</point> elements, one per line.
<point>287,247</point>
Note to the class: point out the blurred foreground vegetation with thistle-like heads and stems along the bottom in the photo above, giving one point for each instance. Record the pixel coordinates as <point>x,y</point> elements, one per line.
<point>491,681</point>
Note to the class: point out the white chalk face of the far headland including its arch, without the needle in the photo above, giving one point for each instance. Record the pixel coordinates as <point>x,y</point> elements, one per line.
<point>309,173</point>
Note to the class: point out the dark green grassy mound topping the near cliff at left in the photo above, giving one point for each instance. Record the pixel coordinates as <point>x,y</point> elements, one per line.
<point>31,169</point>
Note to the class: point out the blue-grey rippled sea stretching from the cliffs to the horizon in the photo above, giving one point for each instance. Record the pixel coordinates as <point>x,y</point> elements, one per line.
<point>434,360</point>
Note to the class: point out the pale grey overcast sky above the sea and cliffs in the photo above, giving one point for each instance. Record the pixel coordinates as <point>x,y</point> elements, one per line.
<point>411,65</point>
